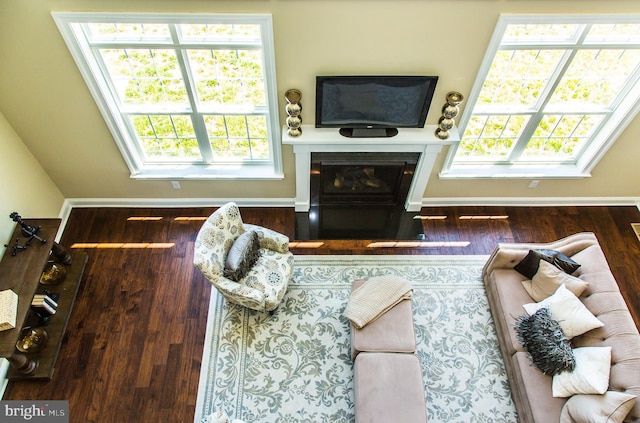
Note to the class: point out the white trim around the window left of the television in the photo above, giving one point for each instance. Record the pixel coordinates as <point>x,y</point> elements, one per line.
<point>272,169</point>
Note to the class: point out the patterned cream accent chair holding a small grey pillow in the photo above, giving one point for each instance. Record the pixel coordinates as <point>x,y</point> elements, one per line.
<point>265,284</point>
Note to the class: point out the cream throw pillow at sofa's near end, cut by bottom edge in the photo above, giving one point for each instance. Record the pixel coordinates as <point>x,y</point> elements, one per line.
<point>611,407</point>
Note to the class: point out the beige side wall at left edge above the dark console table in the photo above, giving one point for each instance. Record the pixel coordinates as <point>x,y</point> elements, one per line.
<point>26,188</point>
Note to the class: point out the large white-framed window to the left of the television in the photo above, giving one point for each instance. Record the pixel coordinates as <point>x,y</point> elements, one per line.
<point>185,96</point>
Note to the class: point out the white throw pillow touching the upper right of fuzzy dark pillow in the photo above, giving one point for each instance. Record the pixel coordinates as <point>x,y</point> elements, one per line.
<point>574,318</point>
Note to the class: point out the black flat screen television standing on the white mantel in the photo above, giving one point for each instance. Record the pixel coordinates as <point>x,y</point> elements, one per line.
<point>373,106</point>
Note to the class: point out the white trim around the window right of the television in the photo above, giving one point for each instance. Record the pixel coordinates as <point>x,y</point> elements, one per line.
<point>589,158</point>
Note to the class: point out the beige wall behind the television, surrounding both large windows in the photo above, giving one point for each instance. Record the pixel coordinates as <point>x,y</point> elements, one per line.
<point>48,104</point>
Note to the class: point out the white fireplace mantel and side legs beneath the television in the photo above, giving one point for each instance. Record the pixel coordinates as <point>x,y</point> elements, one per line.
<point>419,140</point>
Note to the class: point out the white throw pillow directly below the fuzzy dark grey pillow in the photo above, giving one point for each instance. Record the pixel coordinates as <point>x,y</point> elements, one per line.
<point>591,375</point>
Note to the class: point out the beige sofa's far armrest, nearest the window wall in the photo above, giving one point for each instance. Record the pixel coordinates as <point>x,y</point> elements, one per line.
<point>507,255</point>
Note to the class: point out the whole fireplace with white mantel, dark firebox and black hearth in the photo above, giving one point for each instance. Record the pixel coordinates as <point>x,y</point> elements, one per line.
<point>362,188</point>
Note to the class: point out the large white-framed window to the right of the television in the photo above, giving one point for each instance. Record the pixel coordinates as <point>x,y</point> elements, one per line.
<point>552,95</point>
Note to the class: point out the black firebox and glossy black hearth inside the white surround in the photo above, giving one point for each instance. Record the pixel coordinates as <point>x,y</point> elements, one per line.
<point>360,195</point>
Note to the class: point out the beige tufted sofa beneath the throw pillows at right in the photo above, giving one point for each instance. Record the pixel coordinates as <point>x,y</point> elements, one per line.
<point>531,389</point>
